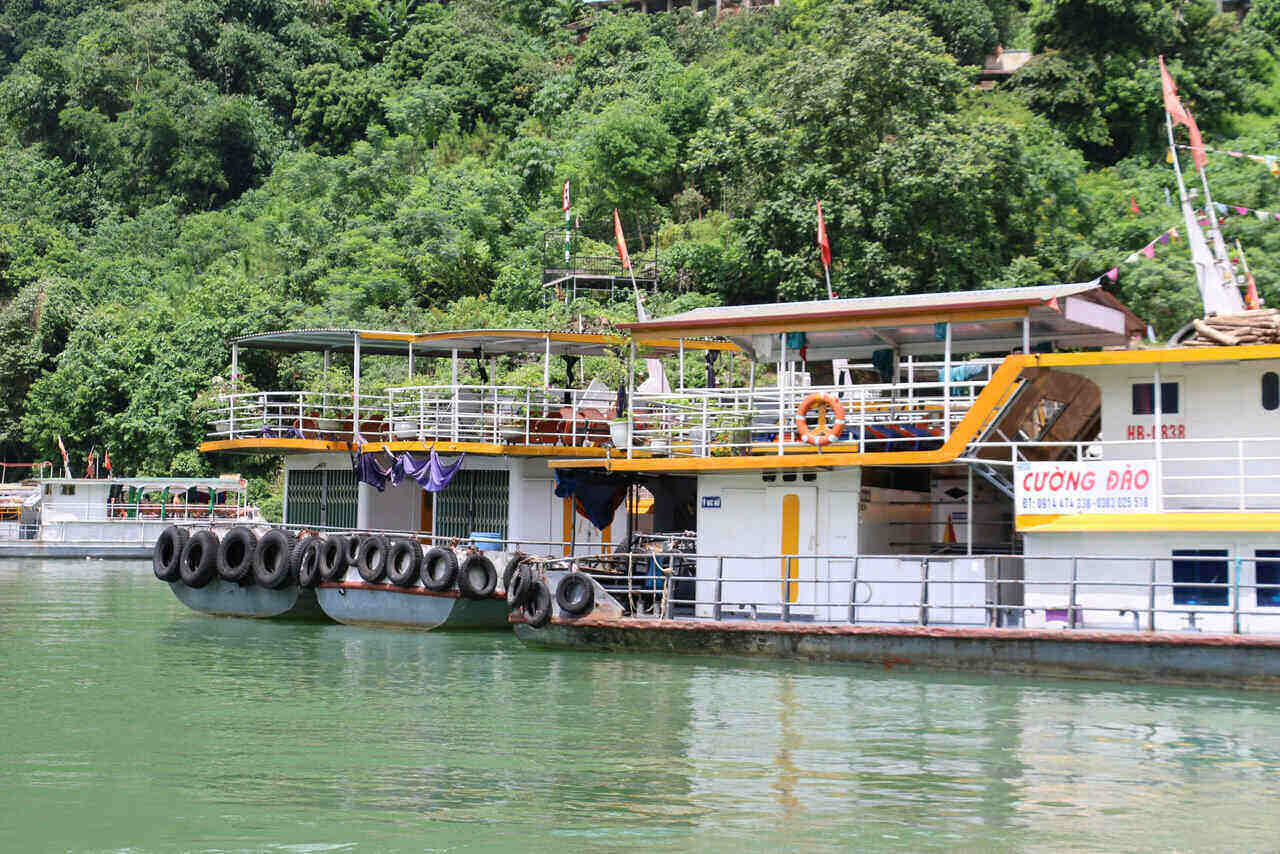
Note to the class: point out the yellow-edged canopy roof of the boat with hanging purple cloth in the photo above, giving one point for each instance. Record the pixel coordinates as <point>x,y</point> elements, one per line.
<point>469,342</point>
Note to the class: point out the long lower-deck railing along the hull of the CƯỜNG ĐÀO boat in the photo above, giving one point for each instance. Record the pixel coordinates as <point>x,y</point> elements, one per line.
<point>1229,595</point>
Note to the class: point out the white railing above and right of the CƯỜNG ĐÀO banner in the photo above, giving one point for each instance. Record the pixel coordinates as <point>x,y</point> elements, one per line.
<point>1227,474</point>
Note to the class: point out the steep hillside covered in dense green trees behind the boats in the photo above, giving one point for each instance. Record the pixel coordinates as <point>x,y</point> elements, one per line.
<point>177,172</point>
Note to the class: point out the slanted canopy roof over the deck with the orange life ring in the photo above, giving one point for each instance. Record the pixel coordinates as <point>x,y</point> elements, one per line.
<point>1067,316</point>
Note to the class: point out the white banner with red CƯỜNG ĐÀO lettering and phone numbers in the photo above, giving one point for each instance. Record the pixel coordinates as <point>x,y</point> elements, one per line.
<point>1091,487</point>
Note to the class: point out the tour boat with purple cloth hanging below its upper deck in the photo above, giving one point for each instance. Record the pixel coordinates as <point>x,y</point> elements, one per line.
<point>458,469</point>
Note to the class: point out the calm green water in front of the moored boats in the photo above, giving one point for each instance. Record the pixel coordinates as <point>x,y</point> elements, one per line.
<point>135,725</point>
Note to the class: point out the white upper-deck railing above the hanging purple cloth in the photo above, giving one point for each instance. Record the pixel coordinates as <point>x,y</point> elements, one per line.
<point>497,414</point>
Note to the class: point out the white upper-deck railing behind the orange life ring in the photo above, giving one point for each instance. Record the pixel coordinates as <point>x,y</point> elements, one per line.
<point>883,417</point>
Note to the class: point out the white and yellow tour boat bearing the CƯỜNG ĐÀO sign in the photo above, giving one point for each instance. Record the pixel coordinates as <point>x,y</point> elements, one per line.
<point>998,479</point>
